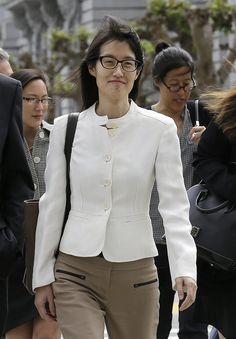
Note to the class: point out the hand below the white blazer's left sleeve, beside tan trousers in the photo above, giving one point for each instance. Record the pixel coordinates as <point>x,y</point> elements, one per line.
<point>44,301</point>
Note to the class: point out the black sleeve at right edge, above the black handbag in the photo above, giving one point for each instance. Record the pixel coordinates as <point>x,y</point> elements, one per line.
<point>213,162</point>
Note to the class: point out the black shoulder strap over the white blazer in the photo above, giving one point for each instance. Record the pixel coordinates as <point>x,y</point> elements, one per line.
<point>70,133</point>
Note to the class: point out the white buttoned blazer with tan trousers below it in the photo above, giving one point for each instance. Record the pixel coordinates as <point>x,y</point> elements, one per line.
<point>114,163</point>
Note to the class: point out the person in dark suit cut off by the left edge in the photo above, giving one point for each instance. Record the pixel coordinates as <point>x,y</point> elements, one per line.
<point>16,183</point>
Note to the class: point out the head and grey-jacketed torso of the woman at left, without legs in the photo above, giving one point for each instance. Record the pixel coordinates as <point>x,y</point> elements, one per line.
<point>36,131</point>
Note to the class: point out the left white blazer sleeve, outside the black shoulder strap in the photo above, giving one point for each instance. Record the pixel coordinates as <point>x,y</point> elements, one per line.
<point>52,203</point>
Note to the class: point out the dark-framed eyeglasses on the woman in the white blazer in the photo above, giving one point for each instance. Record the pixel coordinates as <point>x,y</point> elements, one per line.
<point>128,65</point>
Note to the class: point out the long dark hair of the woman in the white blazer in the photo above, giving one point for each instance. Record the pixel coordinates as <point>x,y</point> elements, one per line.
<point>111,29</point>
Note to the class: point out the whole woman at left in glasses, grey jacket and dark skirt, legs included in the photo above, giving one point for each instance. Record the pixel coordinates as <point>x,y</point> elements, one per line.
<point>23,320</point>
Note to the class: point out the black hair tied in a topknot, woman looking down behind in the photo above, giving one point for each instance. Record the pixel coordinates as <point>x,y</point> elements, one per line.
<point>168,58</point>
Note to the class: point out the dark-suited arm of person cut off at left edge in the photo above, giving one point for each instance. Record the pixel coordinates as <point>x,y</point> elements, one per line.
<point>16,181</point>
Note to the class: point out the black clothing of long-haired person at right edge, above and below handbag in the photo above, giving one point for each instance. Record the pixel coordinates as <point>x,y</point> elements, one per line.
<point>215,163</point>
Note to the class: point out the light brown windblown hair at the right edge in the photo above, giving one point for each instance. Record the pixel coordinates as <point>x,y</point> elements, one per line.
<point>222,102</point>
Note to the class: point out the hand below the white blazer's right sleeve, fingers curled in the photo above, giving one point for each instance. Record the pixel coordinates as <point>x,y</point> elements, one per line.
<point>186,288</point>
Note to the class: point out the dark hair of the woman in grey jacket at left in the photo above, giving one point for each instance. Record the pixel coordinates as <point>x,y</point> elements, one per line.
<point>27,75</point>
